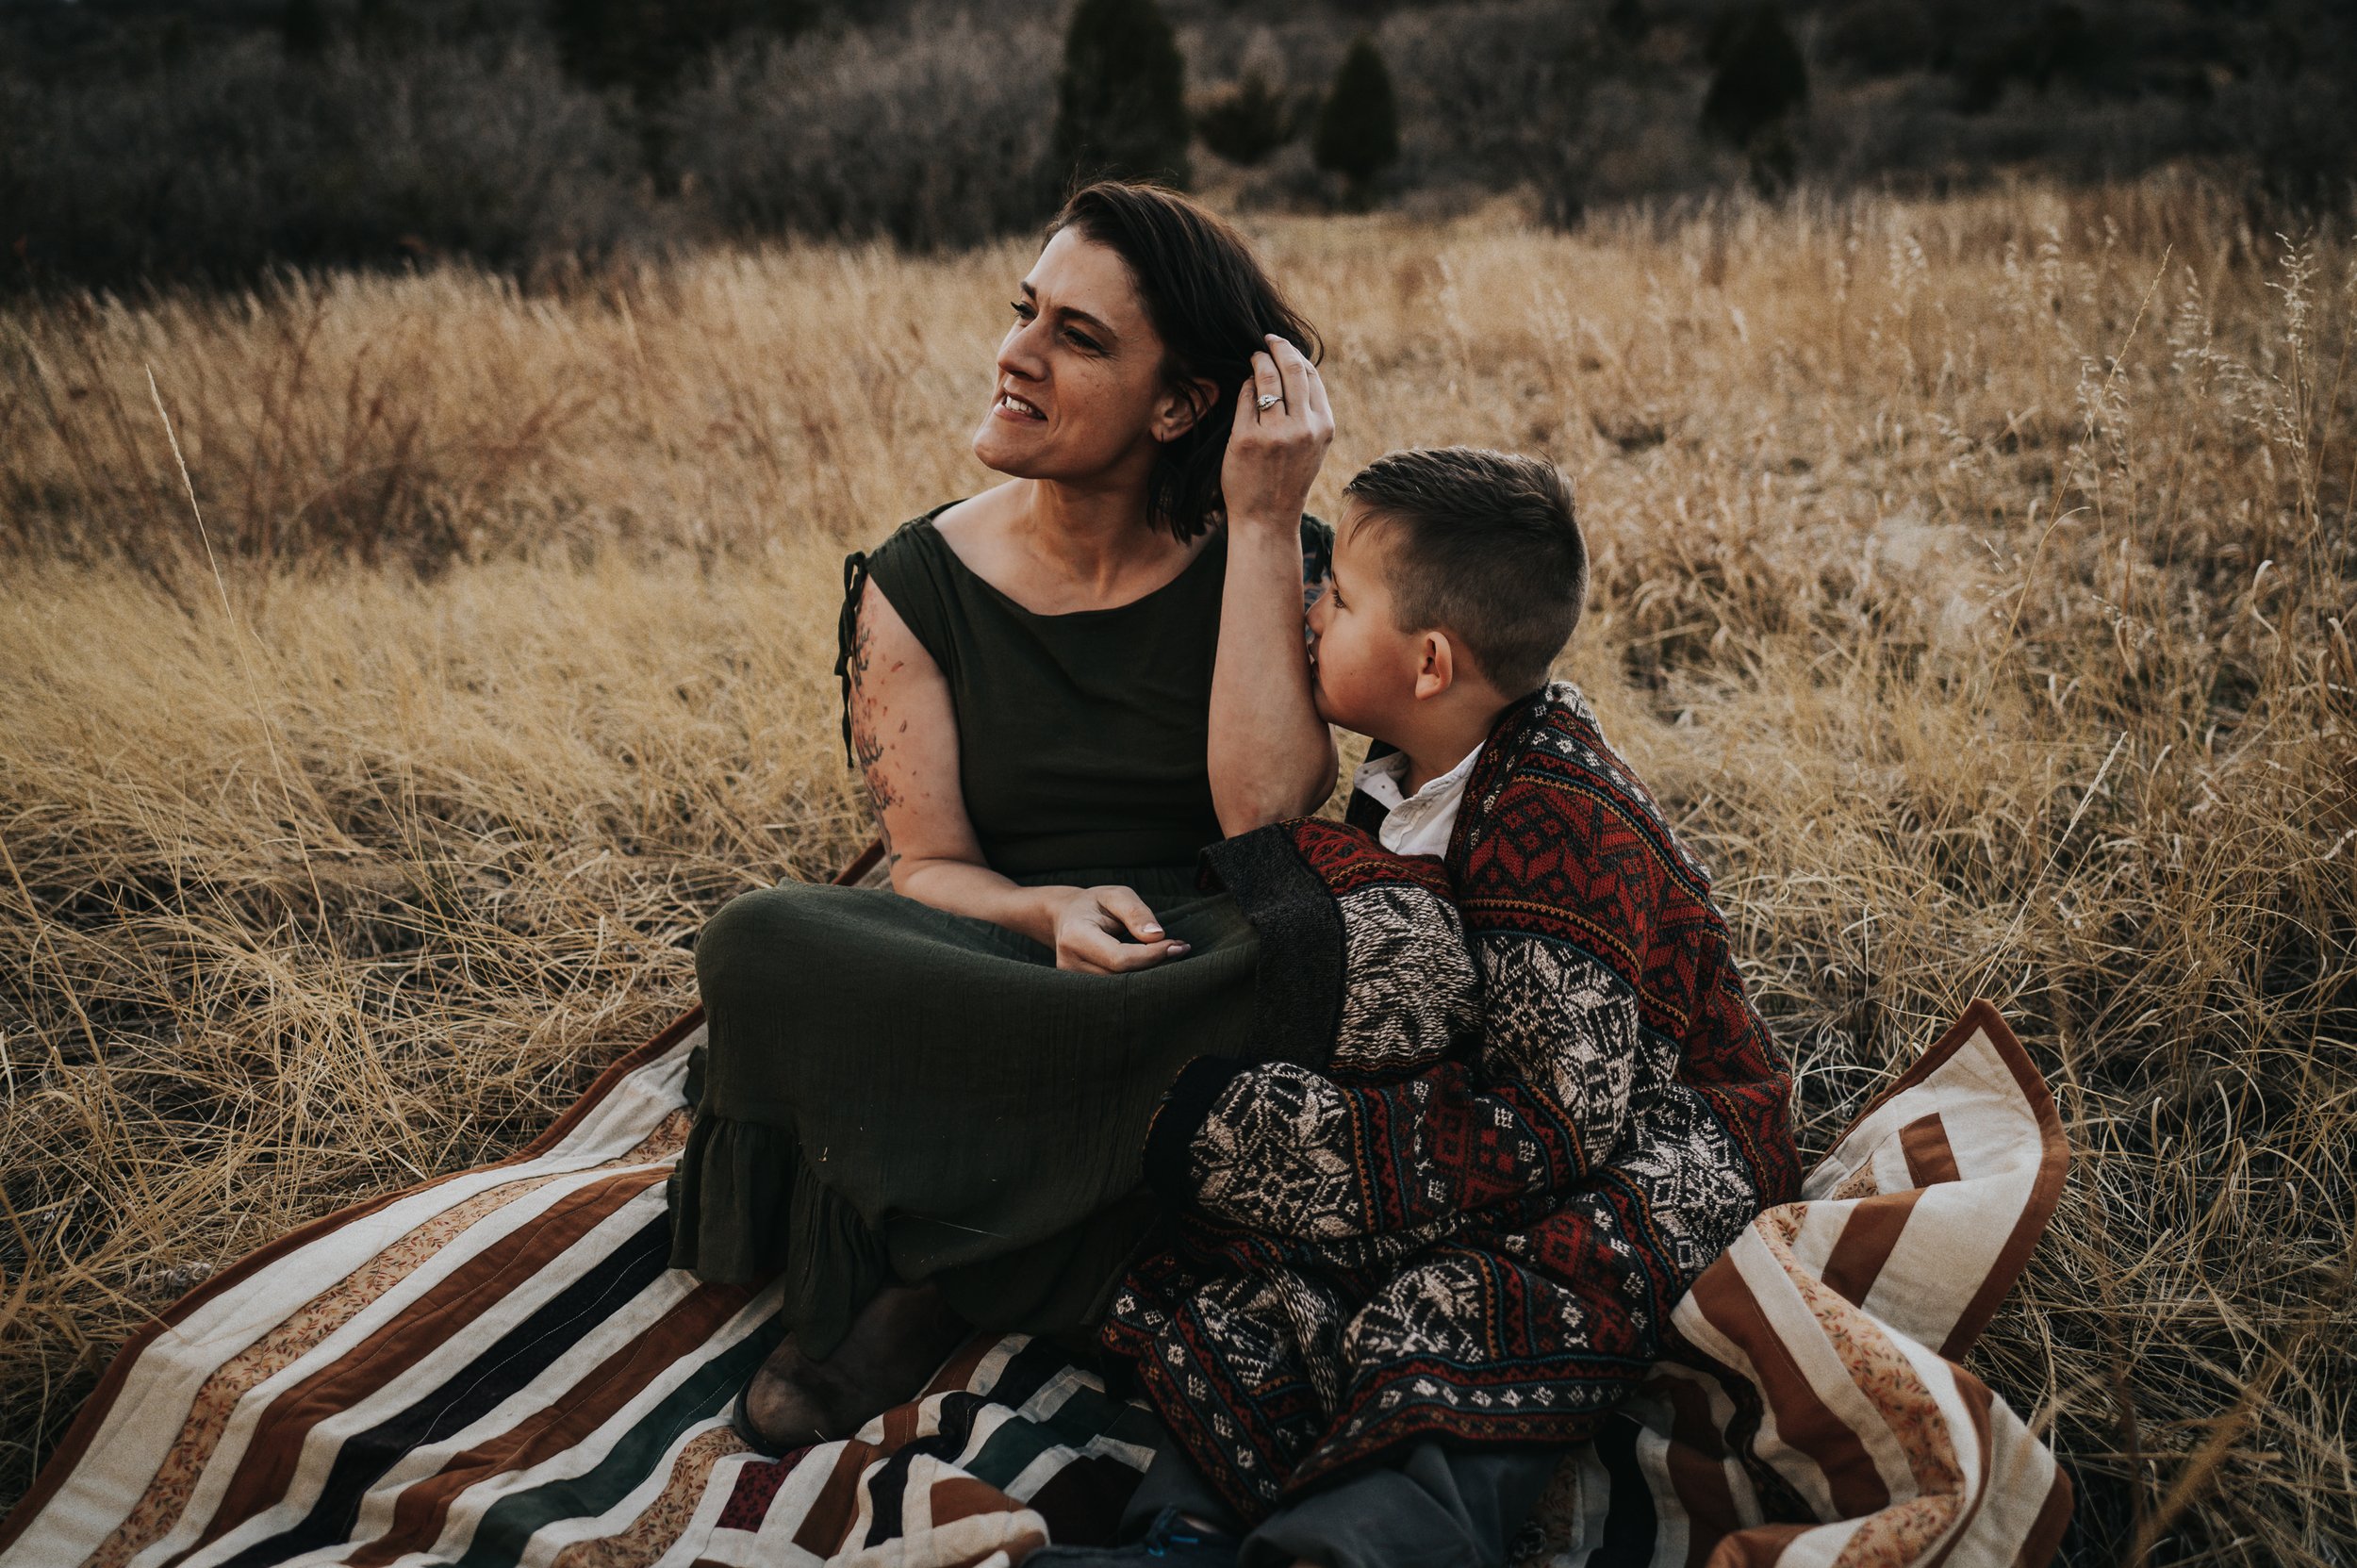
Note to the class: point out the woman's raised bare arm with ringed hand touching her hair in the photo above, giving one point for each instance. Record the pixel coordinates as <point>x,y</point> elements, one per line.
<point>1272,756</point>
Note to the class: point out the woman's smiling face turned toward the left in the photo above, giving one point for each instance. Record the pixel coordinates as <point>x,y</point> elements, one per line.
<point>1078,388</point>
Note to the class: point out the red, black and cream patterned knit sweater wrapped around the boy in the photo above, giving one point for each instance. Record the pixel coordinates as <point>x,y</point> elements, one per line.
<point>1545,1109</point>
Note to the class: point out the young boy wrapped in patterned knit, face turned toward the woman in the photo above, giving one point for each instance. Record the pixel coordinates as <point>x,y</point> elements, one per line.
<point>1406,1282</point>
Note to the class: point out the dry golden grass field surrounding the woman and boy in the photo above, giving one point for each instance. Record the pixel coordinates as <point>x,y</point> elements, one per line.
<point>1969,586</point>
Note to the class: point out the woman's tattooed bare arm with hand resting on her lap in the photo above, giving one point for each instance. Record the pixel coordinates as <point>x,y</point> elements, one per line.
<point>904,734</point>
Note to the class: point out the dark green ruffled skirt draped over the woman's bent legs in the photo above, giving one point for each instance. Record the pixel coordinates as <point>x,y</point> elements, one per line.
<point>892,1093</point>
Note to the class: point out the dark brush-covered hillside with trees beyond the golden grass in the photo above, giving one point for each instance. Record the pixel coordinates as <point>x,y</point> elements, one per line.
<point>159,143</point>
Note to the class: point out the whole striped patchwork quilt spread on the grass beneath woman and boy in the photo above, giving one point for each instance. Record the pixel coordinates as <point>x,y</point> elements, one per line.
<point>499,1369</point>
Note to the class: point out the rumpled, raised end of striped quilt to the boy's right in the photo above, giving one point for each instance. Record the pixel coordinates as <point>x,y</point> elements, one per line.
<point>1811,1409</point>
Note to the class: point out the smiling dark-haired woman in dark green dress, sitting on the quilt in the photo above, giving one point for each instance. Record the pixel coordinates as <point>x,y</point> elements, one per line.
<point>927,1107</point>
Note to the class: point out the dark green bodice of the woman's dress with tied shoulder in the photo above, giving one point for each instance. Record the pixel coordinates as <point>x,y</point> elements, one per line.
<point>1081,739</point>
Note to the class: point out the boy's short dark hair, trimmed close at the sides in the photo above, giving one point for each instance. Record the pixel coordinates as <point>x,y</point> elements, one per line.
<point>1486,548</point>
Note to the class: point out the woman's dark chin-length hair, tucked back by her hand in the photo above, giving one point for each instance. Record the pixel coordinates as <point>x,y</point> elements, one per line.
<point>1213,308</point>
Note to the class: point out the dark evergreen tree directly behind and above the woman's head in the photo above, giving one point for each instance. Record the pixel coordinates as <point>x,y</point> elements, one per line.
<point>1121,105</point>
